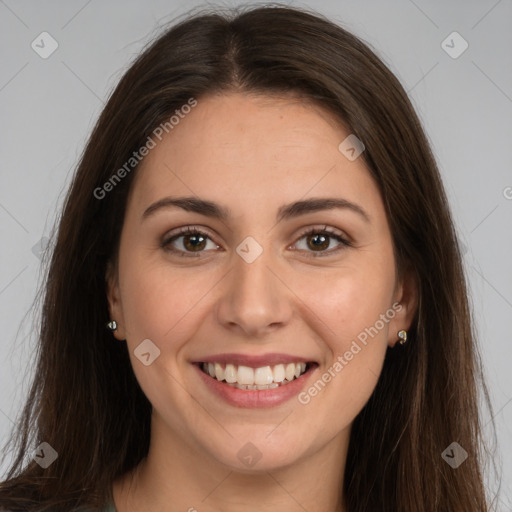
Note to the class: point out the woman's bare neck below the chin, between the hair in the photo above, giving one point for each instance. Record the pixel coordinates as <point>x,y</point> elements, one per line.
<point>178,477</point>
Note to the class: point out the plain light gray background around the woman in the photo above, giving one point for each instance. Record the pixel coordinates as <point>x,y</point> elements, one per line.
<point>48,108</point>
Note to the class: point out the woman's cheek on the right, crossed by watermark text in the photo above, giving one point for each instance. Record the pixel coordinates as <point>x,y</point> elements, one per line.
<point>352,307</point>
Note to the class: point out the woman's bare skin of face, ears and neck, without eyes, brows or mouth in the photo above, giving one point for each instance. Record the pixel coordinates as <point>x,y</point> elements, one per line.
<point>252,154</point>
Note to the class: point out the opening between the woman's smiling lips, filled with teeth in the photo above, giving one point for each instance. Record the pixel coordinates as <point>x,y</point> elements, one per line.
<point>251,379</point>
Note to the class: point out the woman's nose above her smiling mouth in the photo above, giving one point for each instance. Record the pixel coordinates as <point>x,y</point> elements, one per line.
<point>254,299</point>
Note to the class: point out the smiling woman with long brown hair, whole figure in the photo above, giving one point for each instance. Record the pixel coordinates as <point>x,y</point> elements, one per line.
<point>260,223</point>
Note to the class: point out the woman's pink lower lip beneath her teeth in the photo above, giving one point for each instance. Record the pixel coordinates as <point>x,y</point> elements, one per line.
<point>252,399</point>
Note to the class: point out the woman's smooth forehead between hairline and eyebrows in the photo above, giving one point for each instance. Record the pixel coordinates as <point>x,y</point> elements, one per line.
<point>252,150</point>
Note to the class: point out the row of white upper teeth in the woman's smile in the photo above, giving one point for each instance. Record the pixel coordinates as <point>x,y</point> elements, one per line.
<point>254,376</point>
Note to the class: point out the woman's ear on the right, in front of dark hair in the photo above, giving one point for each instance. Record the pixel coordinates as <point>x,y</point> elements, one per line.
<point>406,302</point>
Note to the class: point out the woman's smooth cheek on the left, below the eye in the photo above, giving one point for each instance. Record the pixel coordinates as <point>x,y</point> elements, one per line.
<point>161,304</point>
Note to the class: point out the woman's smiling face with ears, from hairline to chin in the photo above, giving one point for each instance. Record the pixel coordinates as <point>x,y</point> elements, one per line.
<point>255,291</point>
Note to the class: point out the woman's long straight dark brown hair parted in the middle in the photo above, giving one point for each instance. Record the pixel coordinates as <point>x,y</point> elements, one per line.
<point>85,400</point>
